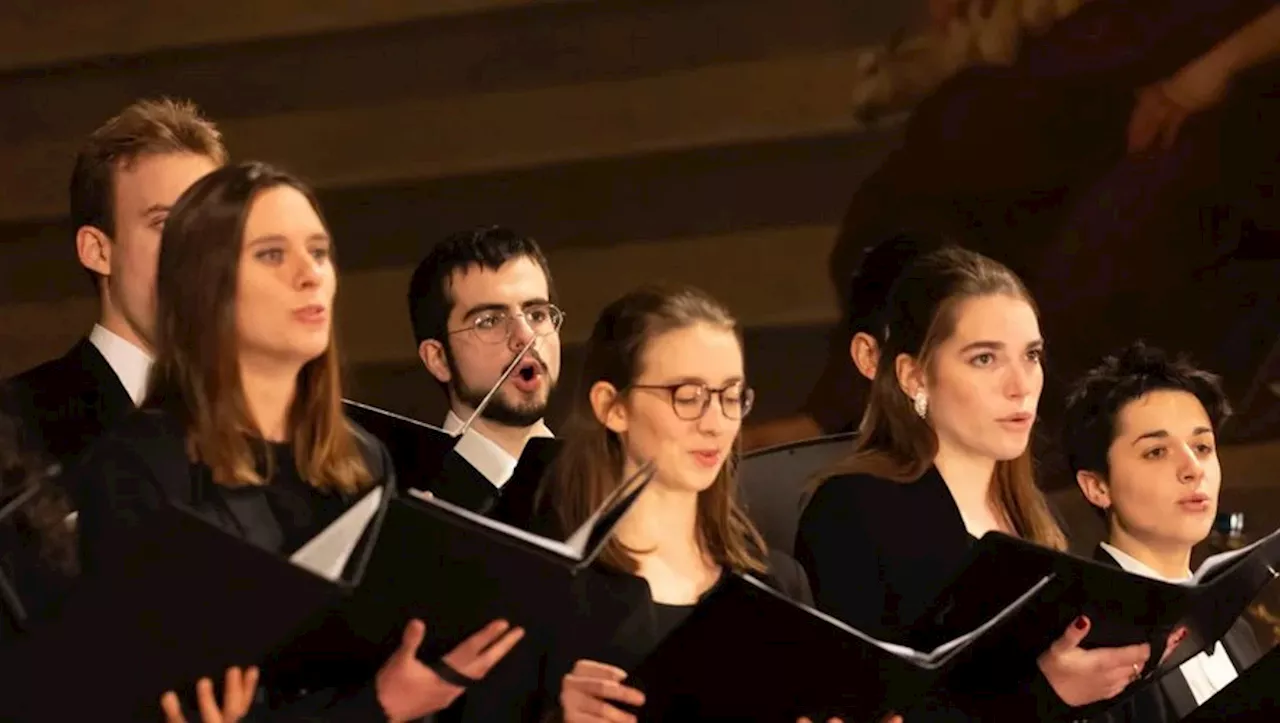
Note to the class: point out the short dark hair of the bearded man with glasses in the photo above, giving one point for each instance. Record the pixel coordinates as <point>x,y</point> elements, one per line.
<point>431,299</point>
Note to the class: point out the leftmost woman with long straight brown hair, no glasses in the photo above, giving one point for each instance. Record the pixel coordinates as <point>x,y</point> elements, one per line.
<point>246,395</point>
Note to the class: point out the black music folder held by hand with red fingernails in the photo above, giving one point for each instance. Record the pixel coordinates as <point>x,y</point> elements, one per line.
<point>1123,608</point>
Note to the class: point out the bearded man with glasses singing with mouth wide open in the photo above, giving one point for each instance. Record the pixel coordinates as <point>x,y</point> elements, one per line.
<point>476,301</point>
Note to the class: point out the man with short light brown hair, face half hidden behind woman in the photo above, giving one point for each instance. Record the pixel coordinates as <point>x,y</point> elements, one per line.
<point>127,177</point>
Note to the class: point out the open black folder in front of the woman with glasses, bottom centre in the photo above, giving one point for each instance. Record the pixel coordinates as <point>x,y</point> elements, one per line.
<point>751,653</point>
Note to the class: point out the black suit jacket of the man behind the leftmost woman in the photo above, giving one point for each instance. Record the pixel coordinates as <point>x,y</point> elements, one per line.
<point>68,402</point>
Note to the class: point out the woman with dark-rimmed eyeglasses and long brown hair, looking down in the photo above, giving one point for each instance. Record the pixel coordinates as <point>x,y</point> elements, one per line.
<point>664,381</point>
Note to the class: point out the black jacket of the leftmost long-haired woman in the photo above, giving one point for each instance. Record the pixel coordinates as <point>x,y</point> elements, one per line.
<point>141,464</point>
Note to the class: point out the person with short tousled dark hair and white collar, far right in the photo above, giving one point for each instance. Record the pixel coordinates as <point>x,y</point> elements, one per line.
<point>1140,437</point>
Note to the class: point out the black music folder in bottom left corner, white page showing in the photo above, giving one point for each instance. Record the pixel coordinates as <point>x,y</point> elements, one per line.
<point>177,600</point>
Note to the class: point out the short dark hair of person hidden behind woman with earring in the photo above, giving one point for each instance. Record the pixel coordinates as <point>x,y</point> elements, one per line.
<point>881,266</point>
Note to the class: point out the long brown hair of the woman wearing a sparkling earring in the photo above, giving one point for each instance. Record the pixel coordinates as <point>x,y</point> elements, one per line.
<point>895,443</point>
